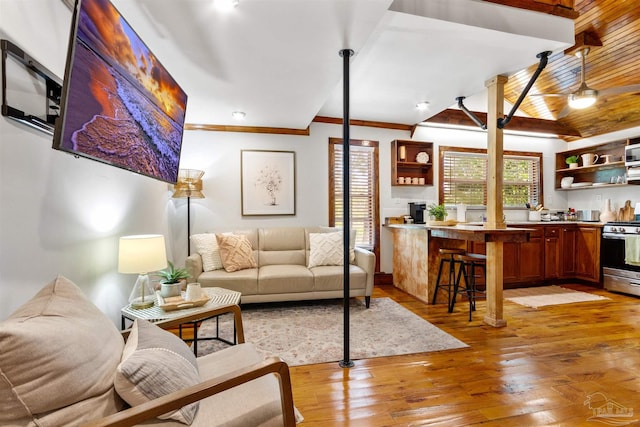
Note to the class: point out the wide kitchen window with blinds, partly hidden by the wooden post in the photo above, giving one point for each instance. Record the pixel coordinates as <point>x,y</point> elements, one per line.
<point>463,177</point>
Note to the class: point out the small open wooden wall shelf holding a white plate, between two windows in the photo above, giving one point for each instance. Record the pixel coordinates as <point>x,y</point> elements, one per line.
<point>411,163</point>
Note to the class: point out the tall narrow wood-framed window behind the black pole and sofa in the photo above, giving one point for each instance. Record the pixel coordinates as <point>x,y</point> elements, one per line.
<point>364,190</point>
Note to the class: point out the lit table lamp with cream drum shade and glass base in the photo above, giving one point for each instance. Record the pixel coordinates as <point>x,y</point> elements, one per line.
<point>141,254</point>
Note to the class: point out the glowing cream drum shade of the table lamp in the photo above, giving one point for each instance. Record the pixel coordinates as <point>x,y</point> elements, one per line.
<point>142,253</point>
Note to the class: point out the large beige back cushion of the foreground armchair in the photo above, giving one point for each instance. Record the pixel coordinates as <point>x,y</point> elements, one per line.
<point>58,358</point>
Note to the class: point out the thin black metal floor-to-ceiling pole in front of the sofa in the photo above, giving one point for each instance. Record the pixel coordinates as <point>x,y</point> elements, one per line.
<point>346,54</point>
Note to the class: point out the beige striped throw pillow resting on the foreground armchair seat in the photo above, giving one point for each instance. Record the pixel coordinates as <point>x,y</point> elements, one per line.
<point>155,363</point>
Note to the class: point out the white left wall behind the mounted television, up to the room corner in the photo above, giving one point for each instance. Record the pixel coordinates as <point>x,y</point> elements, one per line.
<point>59,214</point>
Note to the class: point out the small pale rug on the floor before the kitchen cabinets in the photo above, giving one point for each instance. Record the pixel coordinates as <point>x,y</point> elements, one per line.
<point>548,295</point>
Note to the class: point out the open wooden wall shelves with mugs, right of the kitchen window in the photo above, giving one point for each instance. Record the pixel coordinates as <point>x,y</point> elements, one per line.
<point>600,173</point>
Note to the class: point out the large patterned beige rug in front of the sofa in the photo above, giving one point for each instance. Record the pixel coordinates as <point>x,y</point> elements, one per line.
<point>312,332</point>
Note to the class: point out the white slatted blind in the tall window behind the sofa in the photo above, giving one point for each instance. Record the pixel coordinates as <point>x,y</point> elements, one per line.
<point>363,197</point>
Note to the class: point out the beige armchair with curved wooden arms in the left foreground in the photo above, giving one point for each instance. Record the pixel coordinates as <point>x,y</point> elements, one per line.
<point>237,386</point>
